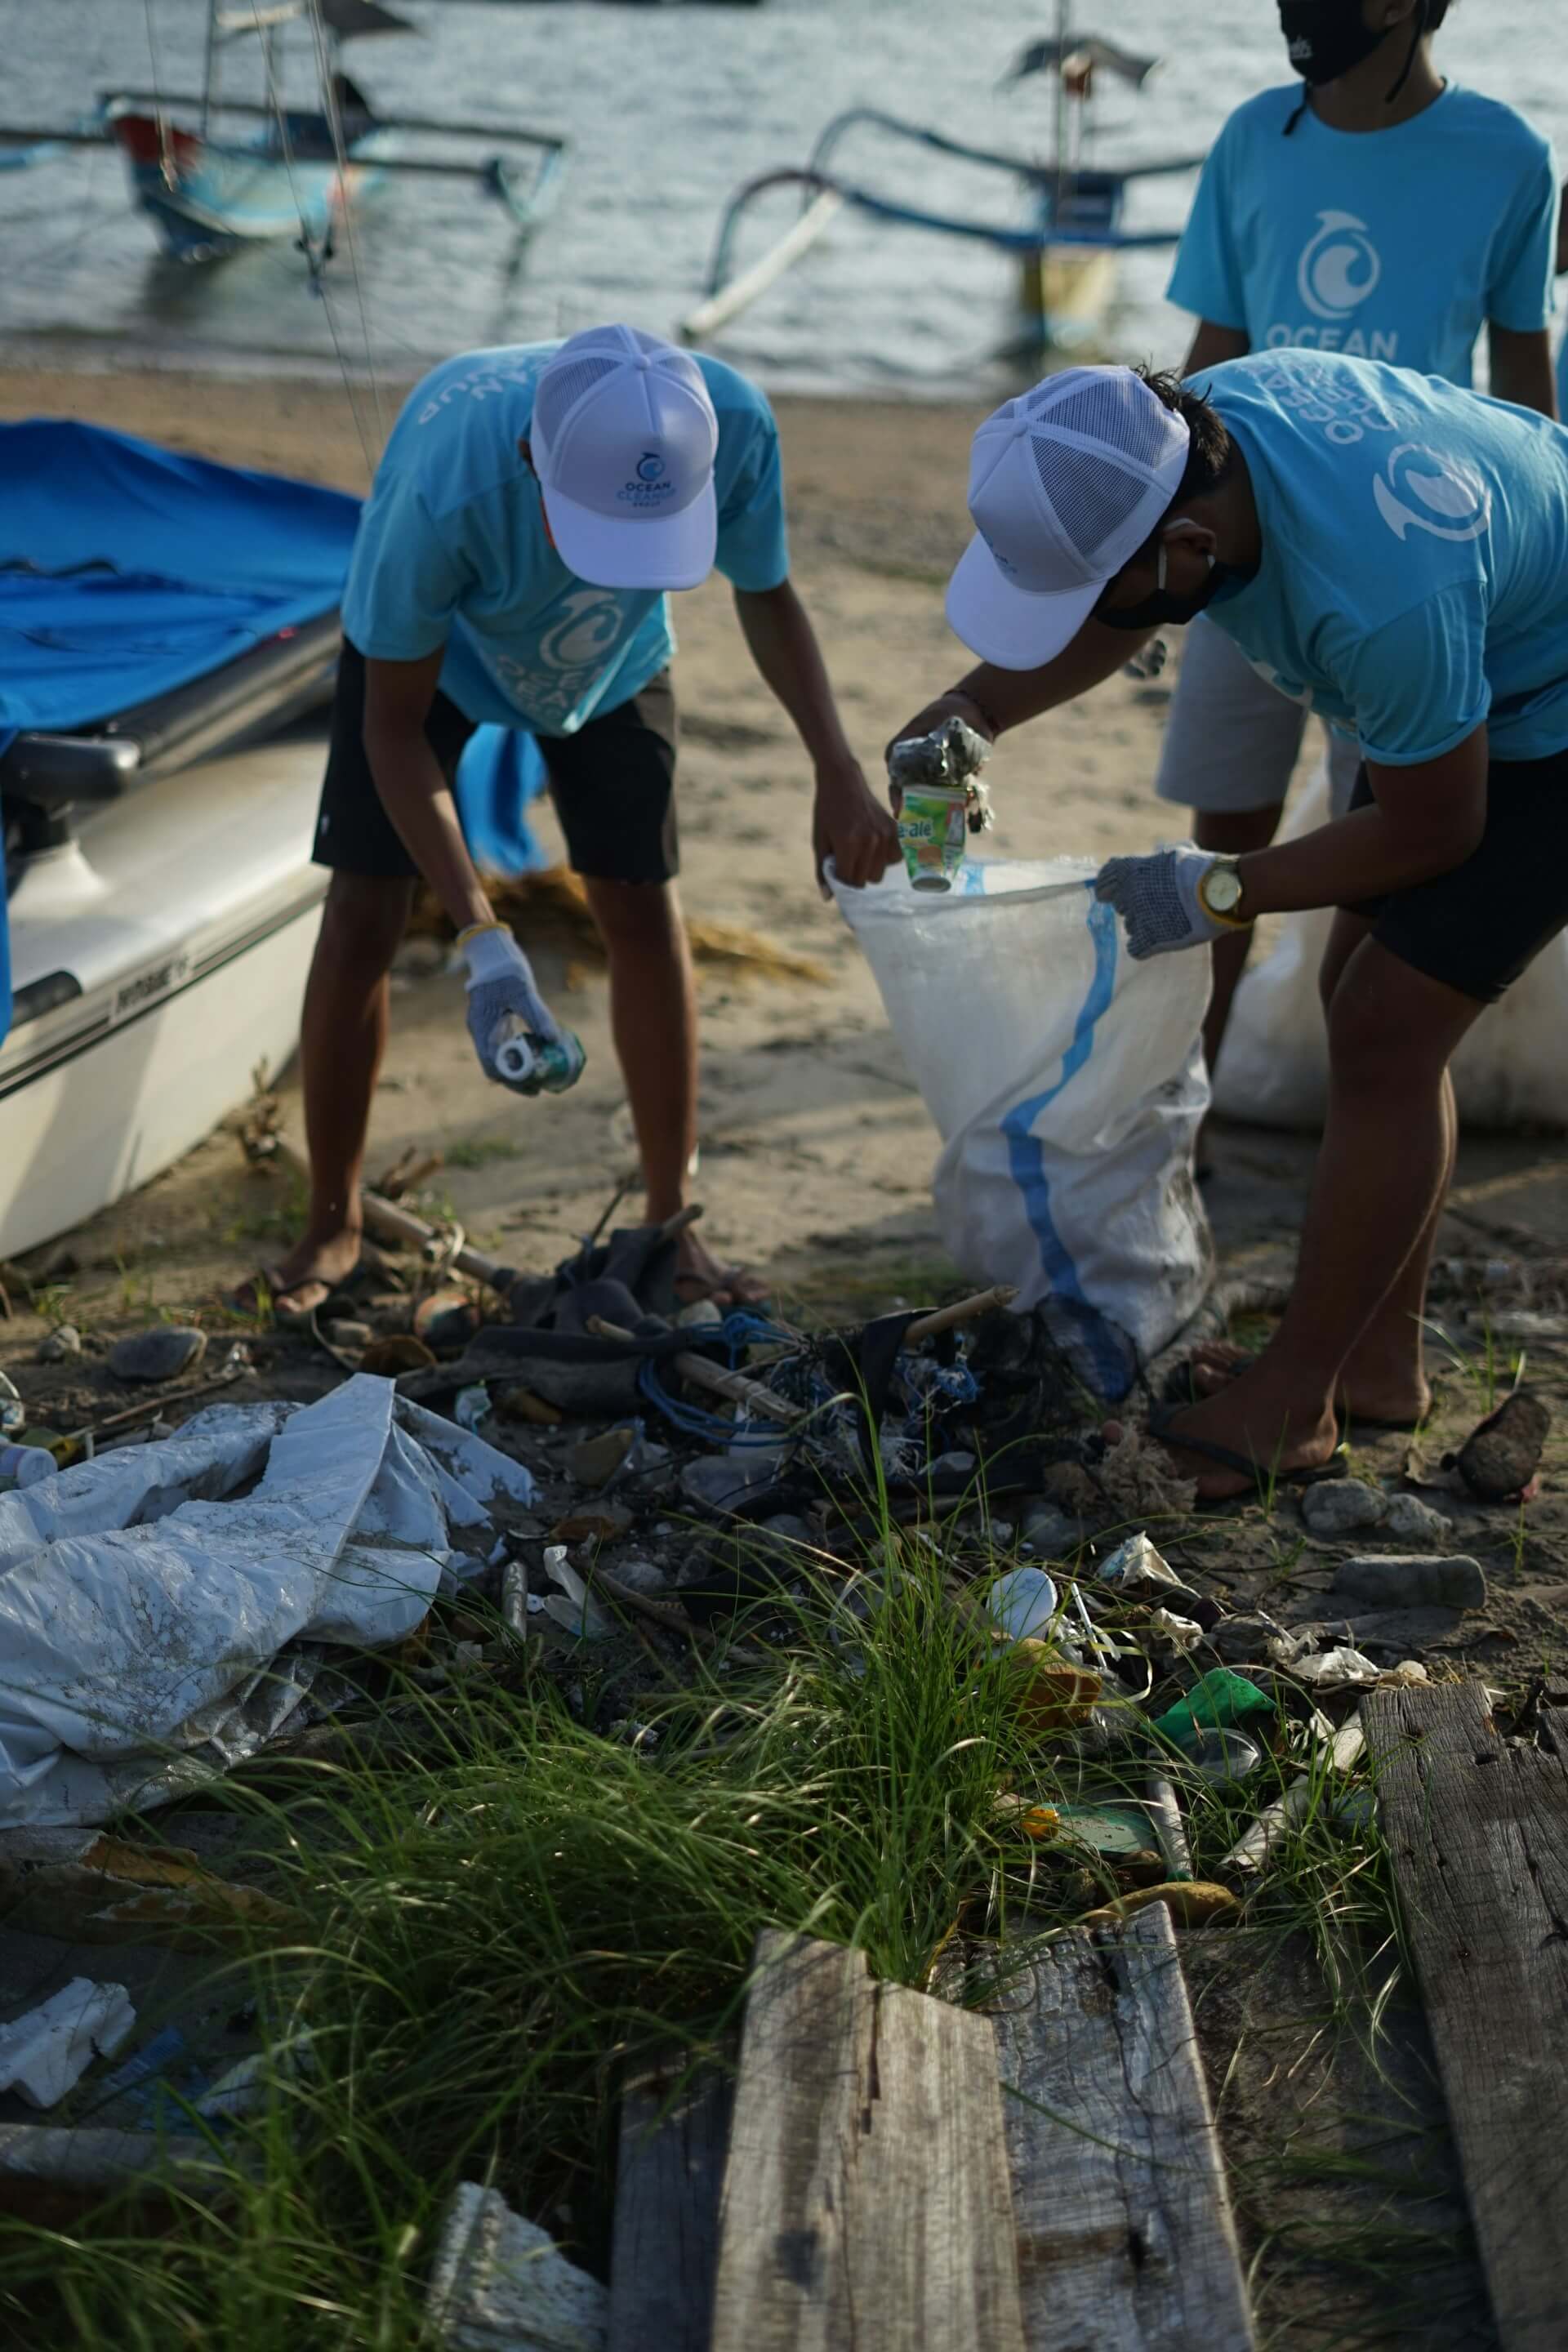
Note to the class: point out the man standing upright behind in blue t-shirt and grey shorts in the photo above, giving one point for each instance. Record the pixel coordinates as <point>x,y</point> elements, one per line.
<point>1374,211</point>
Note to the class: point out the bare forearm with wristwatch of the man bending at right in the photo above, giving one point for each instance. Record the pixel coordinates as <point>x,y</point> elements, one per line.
<point>1426,822</point>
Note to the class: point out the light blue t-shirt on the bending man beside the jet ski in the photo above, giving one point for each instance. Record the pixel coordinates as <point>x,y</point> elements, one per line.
<point>453,549</point>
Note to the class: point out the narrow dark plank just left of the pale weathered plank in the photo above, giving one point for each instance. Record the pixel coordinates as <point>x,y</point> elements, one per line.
<point>669,2186</point>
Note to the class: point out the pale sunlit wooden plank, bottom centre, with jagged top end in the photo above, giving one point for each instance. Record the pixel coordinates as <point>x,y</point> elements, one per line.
<point>866,2200</point>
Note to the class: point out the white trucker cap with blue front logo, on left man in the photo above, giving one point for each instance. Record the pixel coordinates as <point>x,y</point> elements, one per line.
<point>624,441</point>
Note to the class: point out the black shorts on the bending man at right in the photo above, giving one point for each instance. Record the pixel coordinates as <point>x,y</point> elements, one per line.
<point>1480,926</point>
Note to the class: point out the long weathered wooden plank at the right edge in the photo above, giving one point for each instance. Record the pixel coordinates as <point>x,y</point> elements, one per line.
<point>1480,1838</point>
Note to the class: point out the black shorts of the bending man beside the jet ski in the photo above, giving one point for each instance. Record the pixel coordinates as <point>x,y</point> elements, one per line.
<point>612,787</point>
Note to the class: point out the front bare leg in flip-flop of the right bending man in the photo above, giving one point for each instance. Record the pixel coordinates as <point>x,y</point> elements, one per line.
<point>1376,1198</point>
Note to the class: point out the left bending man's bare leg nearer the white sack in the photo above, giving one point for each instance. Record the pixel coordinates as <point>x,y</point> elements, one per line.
<point>652,1008</point>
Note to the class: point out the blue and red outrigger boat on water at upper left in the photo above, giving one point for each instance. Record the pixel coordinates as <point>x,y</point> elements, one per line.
<point>213,194</point>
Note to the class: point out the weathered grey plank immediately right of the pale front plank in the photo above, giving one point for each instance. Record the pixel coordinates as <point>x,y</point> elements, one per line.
<point>1125,2229</point>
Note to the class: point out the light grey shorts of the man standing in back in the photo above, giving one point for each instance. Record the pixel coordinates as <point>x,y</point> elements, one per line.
<point>1233,740</point>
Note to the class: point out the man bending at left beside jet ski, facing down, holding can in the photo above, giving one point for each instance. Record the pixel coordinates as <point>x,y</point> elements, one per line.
<point>514,563</point>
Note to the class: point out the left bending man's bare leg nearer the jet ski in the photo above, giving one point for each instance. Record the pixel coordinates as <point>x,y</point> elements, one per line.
<point>342,1043</point>
